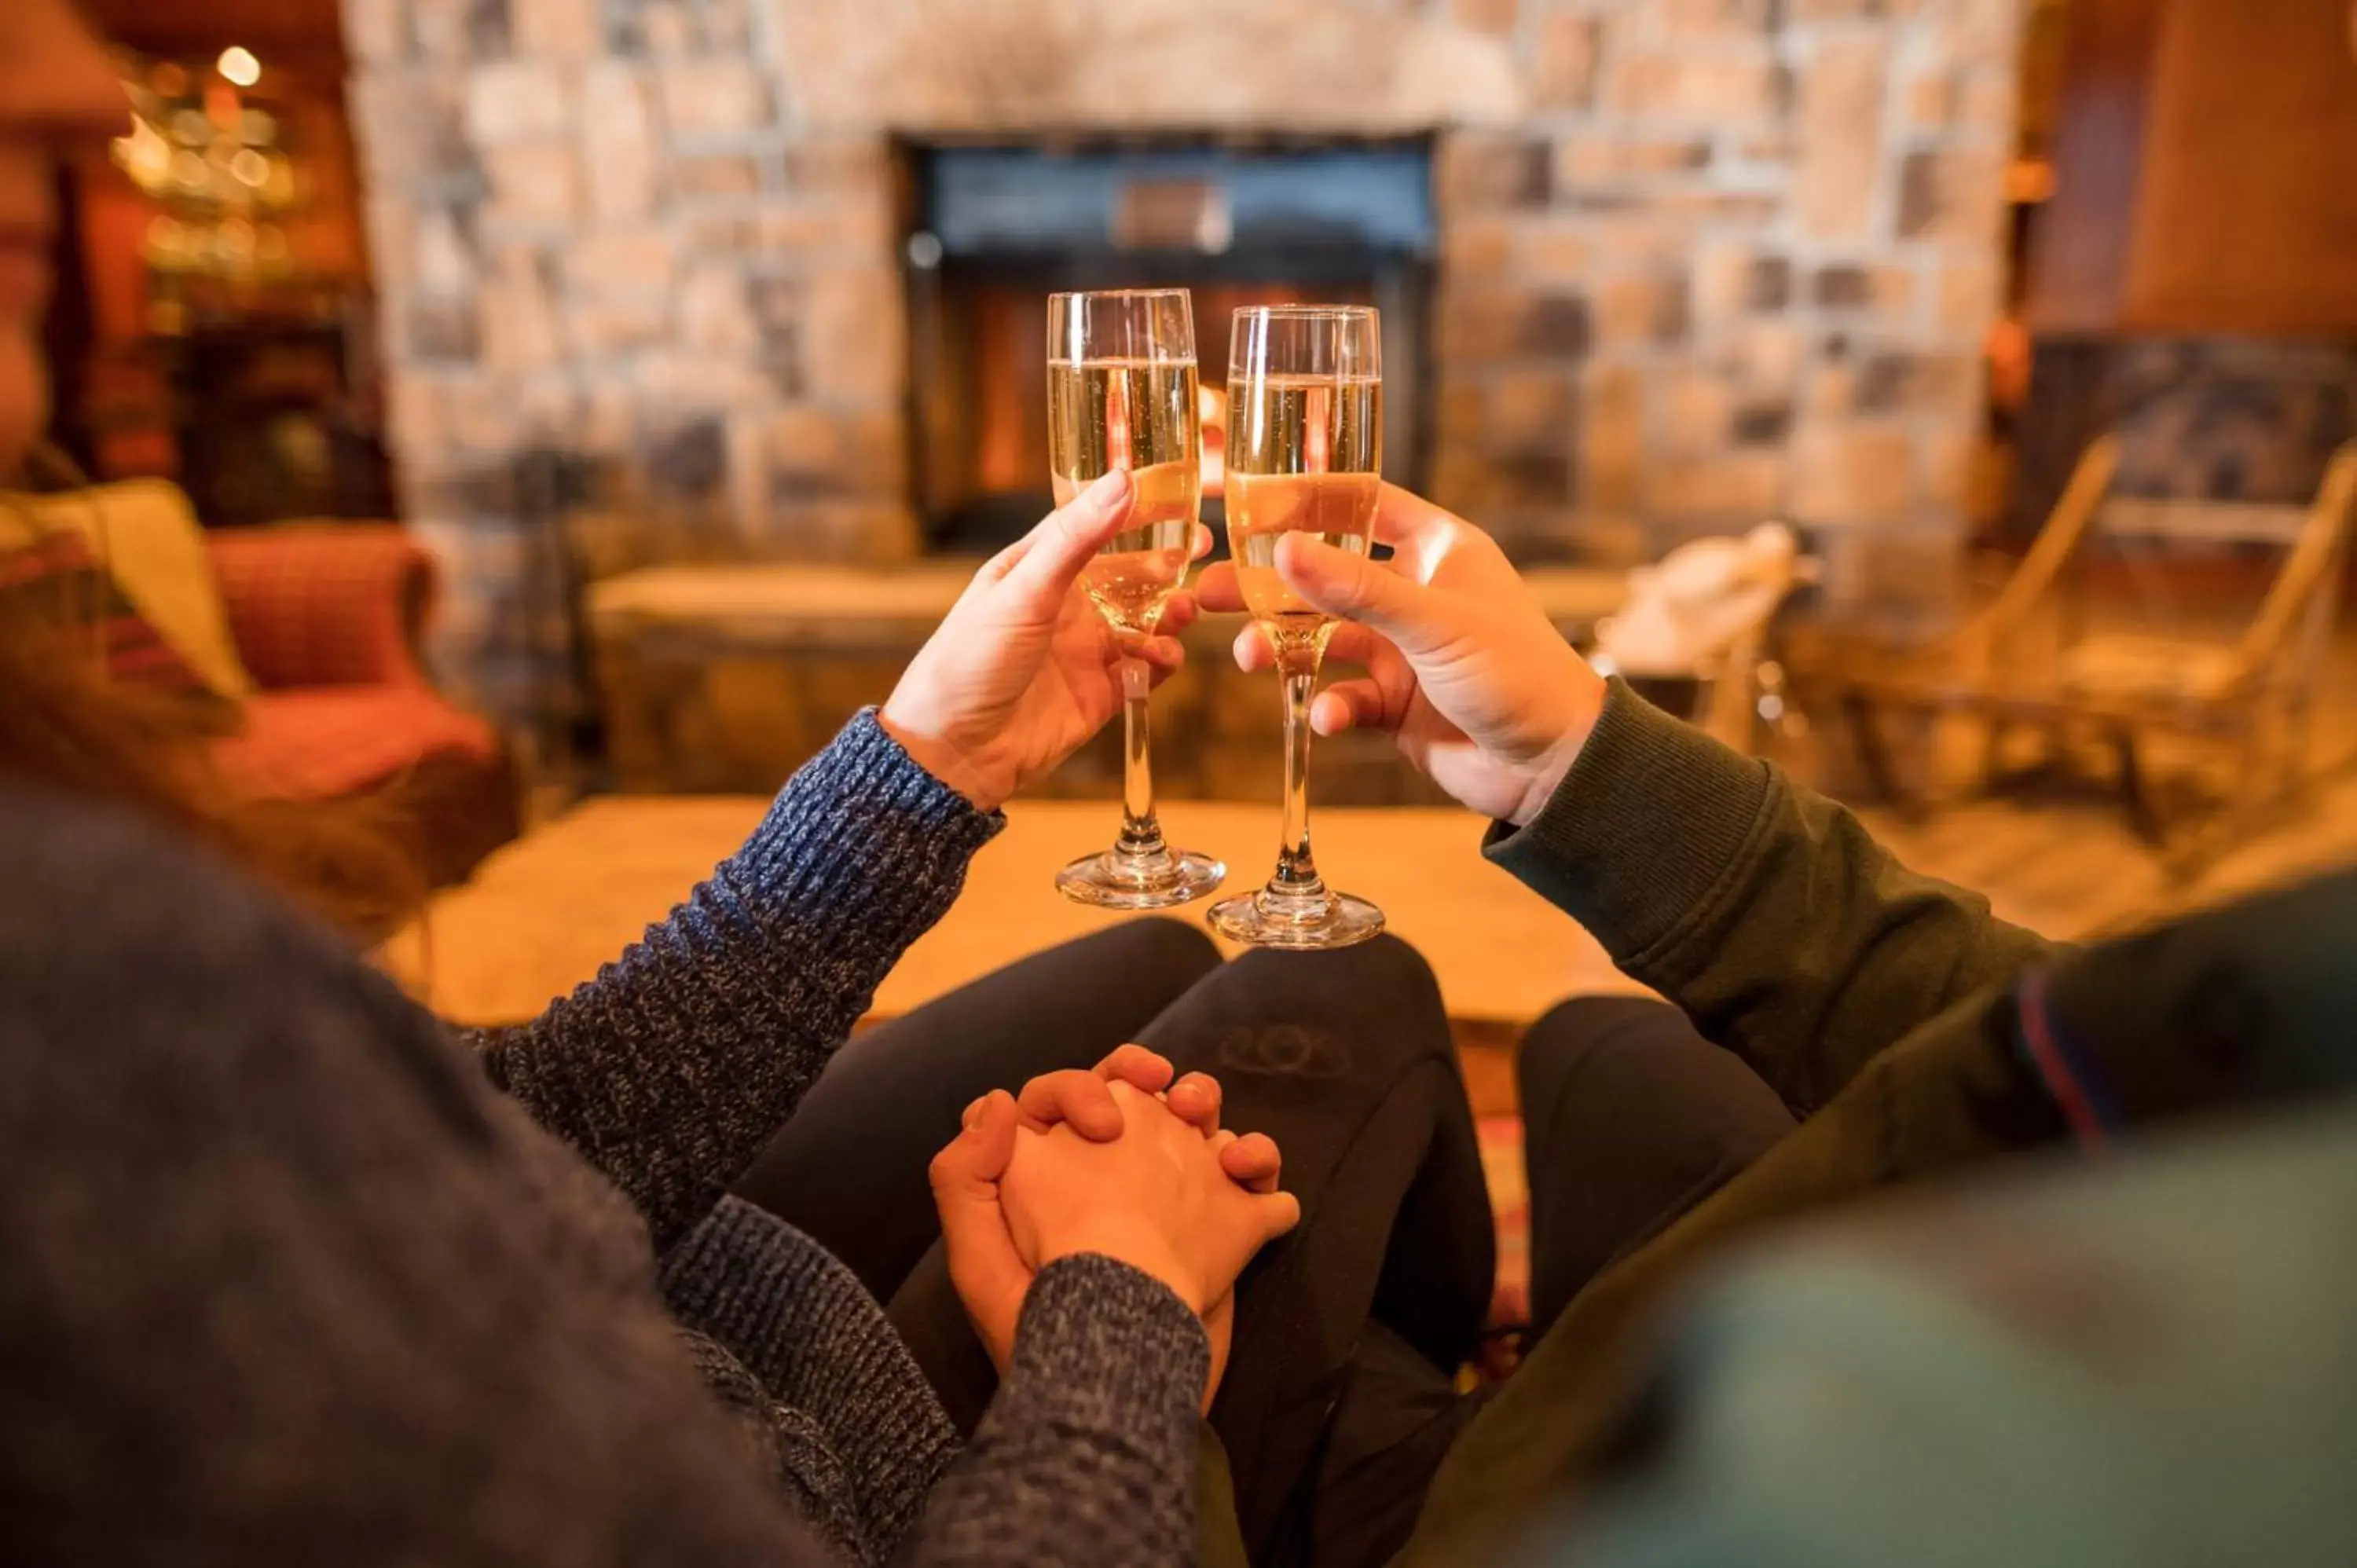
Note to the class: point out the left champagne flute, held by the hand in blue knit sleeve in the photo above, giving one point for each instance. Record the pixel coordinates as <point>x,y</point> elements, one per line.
<point>1121,395</point>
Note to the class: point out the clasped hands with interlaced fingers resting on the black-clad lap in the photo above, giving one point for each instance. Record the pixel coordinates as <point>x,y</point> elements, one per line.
<point>1125,1161</point>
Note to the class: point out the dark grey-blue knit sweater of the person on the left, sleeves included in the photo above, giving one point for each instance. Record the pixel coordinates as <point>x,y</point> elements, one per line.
<point>284,1279</point>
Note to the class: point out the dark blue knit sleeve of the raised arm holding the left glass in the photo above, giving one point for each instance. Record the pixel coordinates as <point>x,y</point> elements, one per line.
<point>682,1060</point>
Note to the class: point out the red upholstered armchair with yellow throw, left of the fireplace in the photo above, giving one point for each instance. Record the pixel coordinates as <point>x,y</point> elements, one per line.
<point>329,621</point>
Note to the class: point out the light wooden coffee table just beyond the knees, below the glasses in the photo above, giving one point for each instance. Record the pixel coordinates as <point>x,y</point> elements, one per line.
<point>543,914</point>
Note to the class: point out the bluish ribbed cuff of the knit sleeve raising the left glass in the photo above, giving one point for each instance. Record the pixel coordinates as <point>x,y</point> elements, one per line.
<point>861,822</point>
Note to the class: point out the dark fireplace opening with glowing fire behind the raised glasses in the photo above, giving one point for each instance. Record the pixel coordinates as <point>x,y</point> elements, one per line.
<point>996,228</point>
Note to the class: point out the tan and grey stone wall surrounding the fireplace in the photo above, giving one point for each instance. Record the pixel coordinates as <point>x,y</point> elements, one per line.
<point>1705,261</point>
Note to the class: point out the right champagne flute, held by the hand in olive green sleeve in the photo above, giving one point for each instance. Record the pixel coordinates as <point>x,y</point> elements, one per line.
<point>1305,456</point>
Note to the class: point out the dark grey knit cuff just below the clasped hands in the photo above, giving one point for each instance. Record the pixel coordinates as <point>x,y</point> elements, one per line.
<point>1114,1348</point>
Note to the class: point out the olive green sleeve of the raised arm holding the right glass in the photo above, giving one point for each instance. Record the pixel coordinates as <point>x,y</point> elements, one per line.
<point>1757,907</point>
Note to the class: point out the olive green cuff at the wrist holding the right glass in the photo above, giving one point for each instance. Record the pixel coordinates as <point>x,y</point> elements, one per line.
<point>1642,831</point>
